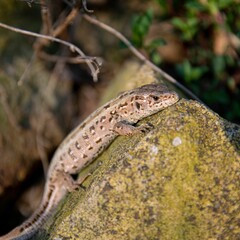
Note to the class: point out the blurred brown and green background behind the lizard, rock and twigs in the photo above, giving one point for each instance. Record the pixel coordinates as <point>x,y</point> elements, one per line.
<point>43,96</point>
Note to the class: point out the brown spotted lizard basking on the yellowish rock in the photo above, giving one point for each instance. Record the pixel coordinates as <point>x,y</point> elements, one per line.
<point>117,117</point>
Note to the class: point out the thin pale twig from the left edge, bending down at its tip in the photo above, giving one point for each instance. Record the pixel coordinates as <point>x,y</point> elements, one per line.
<point>91,61</point>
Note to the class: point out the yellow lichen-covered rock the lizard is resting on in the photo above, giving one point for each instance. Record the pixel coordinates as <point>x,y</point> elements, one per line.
<point>179,181</point>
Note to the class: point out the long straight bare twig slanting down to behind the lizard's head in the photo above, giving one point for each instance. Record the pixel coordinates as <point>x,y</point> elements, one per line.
<point>139,55</point>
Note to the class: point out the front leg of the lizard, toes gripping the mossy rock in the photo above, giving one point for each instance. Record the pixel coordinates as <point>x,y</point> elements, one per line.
<point>126,129</point>
